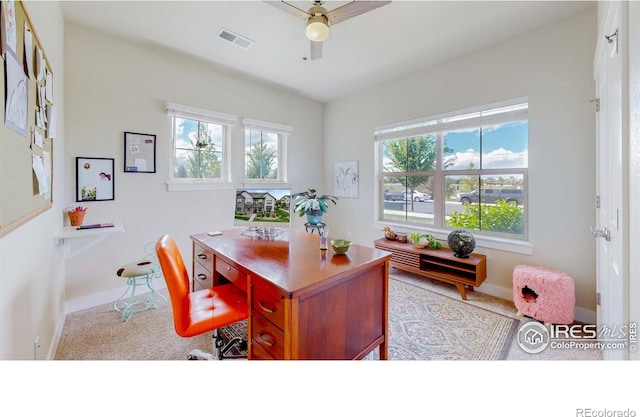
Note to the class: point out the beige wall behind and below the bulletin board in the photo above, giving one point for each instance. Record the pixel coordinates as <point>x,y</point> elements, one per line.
<point>31,274</point>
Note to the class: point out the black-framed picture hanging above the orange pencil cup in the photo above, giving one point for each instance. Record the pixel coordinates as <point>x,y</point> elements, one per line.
<point>94,179</point>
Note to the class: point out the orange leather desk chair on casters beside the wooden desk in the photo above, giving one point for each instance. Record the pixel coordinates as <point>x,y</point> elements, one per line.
<point>200,311</point>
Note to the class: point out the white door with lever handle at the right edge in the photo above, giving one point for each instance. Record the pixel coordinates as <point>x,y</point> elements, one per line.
<point>611,269</point>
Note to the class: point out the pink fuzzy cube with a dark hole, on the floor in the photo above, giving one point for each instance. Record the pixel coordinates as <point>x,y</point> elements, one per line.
<point>543,294</point>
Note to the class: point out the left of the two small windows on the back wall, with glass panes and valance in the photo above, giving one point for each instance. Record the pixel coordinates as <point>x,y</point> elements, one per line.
<point>199,144</point>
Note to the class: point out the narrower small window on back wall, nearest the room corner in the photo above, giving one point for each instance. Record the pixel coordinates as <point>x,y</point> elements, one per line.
<point>265,150</point>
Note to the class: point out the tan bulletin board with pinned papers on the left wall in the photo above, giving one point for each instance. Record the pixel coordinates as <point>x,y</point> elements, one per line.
<point>28,120</point>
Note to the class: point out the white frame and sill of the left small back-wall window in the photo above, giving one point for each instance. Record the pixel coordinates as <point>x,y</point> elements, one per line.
<point>204,115</point>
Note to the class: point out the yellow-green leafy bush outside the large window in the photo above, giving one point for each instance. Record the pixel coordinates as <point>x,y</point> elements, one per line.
<point>500,217</point>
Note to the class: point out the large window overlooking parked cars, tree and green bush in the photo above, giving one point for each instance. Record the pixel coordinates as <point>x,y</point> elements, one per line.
<point>465,170</point>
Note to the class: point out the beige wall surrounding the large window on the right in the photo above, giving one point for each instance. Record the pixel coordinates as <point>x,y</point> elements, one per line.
<point>553,67</point>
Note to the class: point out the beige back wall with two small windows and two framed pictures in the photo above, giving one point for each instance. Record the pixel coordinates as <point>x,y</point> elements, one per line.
<point>115,86</point>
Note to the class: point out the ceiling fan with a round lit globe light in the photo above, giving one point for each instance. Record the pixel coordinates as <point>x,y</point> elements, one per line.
<point>319,19</point>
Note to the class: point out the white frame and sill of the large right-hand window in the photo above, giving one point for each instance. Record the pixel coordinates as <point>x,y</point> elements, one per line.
<point>435,125</point>
